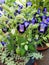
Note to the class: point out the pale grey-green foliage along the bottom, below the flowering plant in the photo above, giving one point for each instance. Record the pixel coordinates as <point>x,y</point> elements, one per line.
<point>8,59</point>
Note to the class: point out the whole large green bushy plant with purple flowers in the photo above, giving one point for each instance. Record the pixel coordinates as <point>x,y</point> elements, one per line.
<point>22,26</point>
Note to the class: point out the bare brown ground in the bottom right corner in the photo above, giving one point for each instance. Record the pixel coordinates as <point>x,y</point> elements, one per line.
<point>45,59</point>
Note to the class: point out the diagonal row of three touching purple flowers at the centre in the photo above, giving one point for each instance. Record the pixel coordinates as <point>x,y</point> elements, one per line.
<point>22,27</point>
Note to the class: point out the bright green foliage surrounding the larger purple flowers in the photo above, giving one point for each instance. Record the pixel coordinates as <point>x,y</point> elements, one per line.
<point>15,40</point>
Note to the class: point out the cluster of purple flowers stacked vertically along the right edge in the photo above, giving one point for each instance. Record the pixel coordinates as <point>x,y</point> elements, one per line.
<point>43,25</point>
